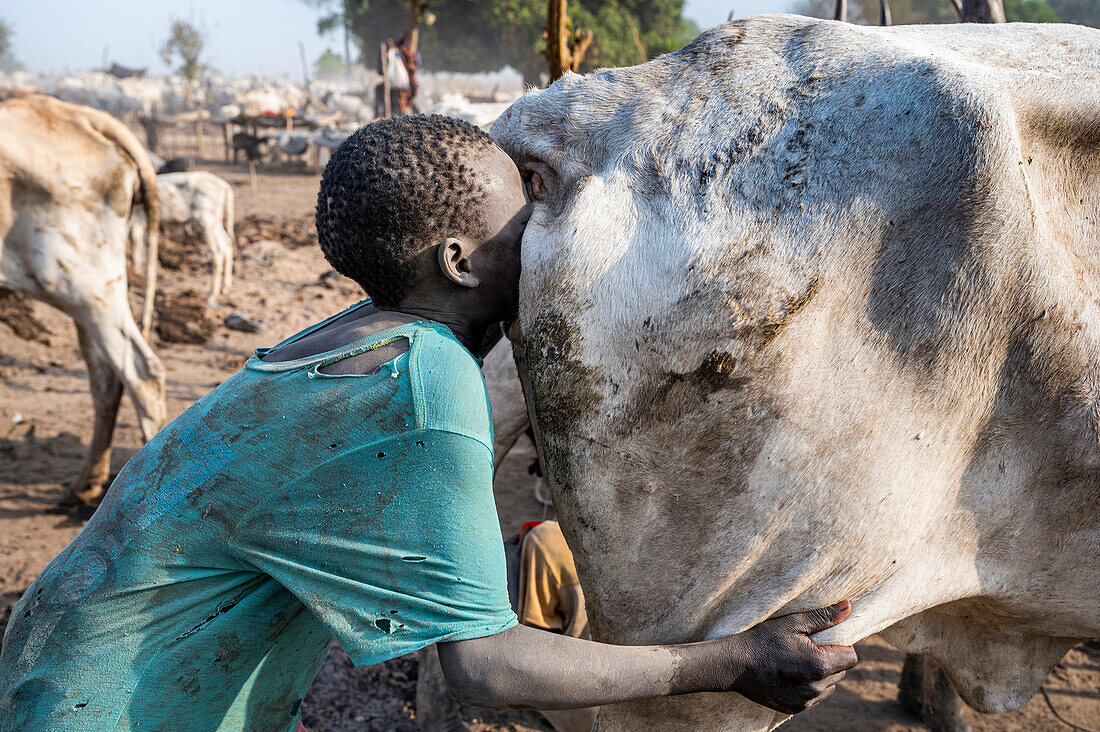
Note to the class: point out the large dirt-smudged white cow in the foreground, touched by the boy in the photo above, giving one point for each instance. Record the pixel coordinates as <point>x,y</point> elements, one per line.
<point>810,312</point>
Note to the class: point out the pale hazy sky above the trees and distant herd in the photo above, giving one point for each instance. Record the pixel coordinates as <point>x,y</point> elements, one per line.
<point>245,36</point>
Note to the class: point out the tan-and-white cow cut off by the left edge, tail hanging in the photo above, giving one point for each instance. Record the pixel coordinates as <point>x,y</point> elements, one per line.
<point>70,179</point>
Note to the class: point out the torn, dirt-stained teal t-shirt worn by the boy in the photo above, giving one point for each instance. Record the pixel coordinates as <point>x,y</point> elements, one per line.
<point>284,509</point>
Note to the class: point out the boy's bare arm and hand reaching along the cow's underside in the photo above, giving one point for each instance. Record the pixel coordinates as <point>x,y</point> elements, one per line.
<point>774,664</point>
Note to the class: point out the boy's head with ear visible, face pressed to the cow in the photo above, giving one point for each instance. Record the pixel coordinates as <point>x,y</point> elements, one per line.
<point>399,190</point>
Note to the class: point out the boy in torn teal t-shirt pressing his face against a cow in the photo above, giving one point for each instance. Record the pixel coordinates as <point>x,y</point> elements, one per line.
<point>340,486</point>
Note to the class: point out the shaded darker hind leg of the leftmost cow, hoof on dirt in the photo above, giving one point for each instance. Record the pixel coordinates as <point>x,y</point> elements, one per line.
<point>106,389</point>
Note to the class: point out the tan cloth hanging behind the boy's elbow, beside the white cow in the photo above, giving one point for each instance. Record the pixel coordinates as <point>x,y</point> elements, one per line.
<point>549,592</point>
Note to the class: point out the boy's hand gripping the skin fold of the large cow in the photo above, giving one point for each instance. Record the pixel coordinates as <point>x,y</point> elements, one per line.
<point>783,669</point>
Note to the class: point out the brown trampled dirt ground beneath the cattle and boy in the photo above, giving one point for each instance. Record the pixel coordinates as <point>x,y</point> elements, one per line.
<point>46,423</point>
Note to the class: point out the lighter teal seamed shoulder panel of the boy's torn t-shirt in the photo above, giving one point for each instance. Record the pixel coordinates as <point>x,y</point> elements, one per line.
<point>448,387</point>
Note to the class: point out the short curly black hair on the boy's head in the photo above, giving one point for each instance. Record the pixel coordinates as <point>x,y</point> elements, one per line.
<point>392,190</point>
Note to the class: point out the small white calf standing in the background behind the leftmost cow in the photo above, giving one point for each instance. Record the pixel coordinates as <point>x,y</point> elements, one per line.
<point>201,204</point>
